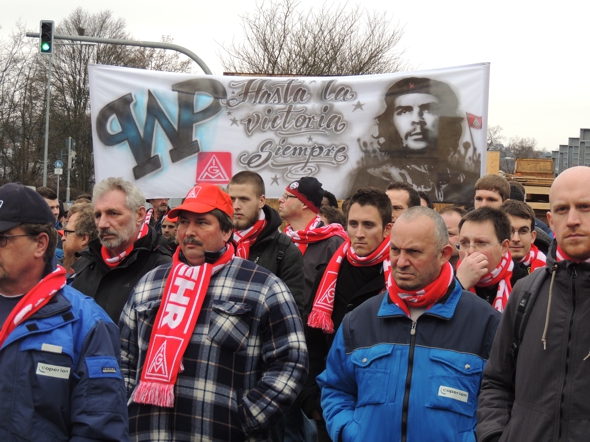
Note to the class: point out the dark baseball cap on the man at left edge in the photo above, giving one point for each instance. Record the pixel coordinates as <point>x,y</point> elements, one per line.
<point>20,204</point>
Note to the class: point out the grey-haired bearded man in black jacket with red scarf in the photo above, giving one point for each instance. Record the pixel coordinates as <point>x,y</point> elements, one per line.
<point>125,250</point>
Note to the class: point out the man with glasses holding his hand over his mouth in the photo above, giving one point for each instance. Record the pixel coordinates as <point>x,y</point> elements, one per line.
<point>486,265</point>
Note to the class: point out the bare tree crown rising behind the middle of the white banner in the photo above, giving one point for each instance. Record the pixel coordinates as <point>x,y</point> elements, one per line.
<point>282,40</point>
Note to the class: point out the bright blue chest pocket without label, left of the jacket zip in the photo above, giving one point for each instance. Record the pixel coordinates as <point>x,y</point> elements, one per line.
<point>373,372</point>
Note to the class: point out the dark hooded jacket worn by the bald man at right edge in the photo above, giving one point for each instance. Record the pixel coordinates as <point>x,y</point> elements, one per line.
<point>545,397</point>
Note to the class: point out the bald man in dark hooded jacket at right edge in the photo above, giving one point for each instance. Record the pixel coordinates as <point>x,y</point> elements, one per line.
<point>543,394</point>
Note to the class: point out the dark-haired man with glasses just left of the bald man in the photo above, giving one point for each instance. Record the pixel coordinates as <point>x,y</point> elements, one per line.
<point>527,257</point>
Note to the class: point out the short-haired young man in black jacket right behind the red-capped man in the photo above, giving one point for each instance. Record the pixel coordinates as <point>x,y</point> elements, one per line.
<point>257,236</point>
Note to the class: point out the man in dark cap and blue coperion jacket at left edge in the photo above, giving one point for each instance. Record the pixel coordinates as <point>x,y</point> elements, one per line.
<point>59,351</point>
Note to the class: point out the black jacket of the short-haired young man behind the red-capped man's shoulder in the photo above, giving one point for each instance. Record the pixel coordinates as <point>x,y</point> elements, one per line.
<point>265,250</point>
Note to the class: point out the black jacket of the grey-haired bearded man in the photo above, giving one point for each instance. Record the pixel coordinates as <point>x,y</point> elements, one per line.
<point>110,288</point>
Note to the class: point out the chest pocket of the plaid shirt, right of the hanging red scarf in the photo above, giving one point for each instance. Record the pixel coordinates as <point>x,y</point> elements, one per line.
<point>229,325</point>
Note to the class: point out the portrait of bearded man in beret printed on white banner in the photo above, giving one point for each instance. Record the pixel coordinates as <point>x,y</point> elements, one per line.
<point>418,142</point>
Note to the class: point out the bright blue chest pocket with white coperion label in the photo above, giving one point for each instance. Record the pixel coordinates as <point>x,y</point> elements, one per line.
<point>455,381</point>
